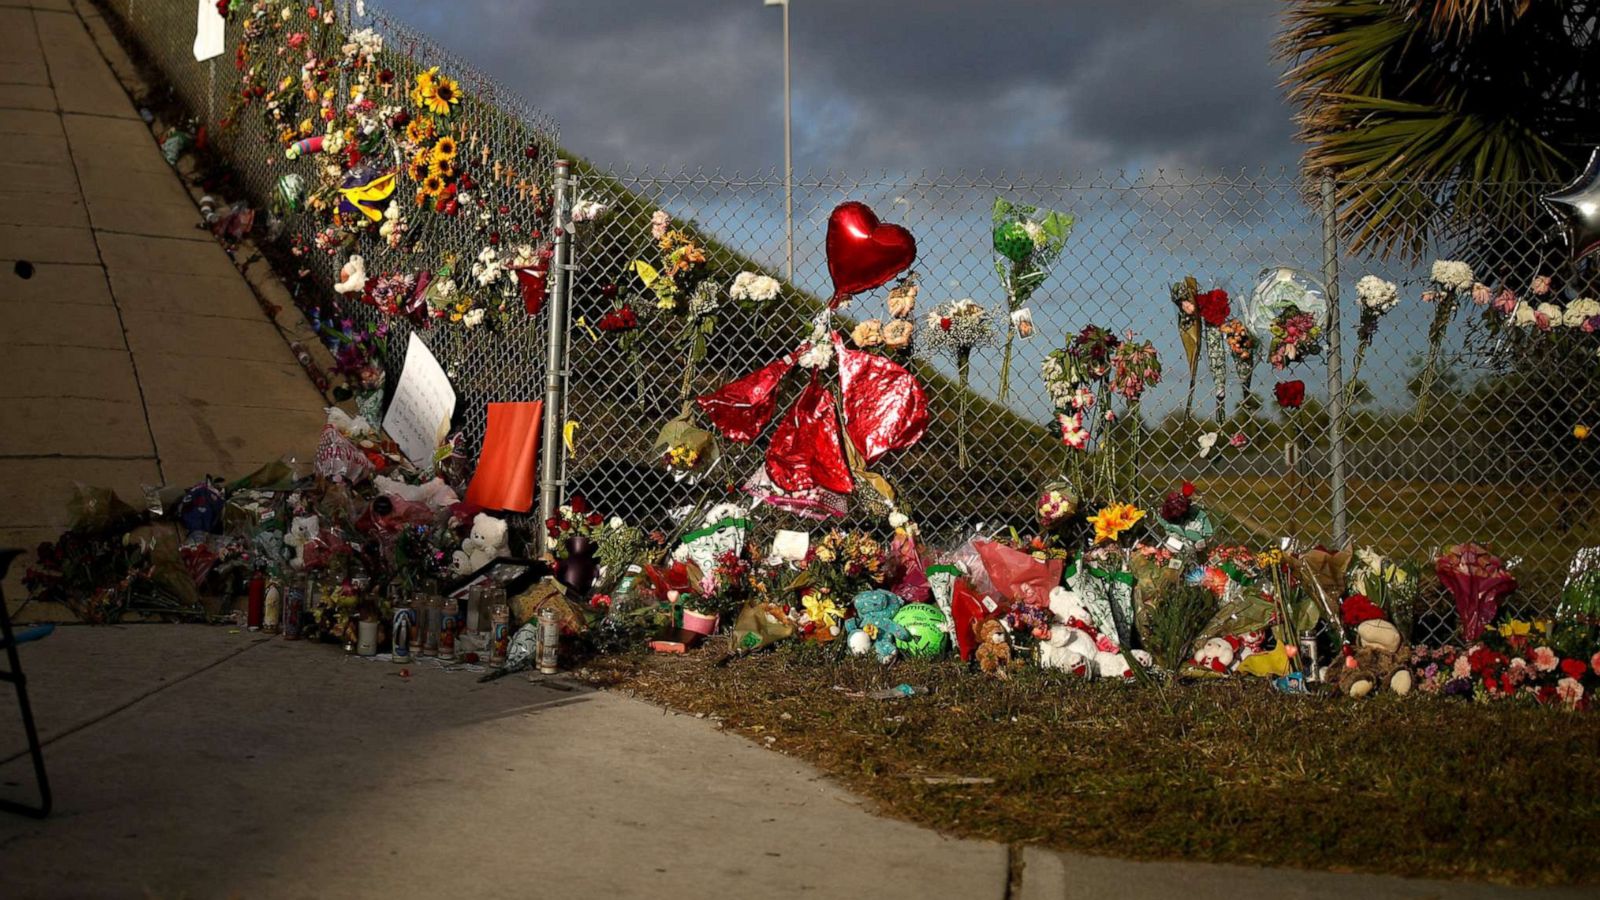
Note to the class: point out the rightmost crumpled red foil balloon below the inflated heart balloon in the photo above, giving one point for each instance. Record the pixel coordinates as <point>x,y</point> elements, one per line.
<point>886,408</point>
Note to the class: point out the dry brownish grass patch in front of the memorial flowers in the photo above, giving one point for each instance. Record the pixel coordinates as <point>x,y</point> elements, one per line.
<point>1218,773</point>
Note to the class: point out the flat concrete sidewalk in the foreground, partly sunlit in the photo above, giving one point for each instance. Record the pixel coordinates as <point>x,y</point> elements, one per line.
<point>196,761</point>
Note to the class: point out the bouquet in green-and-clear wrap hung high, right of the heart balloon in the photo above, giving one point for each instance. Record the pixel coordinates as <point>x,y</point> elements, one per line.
<point>1028,243</point>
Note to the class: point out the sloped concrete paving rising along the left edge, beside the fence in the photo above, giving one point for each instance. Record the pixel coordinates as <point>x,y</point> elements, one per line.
<point>135,353</point>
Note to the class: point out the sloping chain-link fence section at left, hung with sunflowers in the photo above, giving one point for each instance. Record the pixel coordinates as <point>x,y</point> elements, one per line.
<point>508,150</point>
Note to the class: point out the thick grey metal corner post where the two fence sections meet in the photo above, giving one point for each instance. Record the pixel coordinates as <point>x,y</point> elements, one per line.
<point>553,456</point>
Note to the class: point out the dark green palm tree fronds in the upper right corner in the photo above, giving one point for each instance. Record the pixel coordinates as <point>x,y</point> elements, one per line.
<point>1436,115</point>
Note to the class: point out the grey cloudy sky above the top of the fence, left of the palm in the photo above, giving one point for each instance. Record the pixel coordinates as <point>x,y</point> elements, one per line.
<point>890,84</point>
